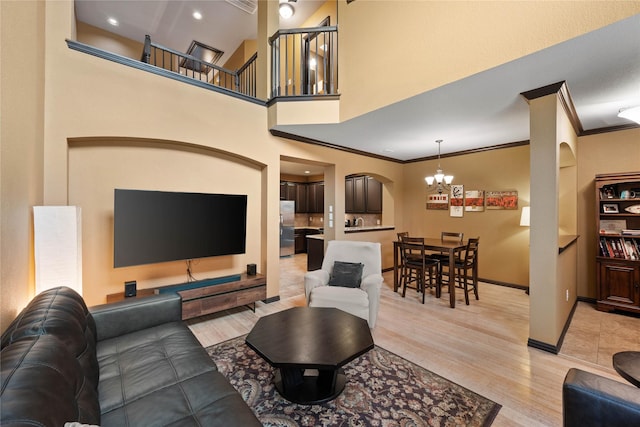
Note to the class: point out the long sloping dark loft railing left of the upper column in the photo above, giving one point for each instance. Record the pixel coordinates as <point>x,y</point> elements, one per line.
<point>242,81</point>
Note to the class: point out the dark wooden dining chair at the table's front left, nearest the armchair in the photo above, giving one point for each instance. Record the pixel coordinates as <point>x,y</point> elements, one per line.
<point>416,266</point>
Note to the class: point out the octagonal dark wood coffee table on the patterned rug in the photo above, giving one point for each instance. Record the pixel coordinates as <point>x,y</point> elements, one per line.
<point>308,346</point>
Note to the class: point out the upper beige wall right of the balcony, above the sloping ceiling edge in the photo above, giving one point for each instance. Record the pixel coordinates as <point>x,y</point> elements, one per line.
<point>431,43</point>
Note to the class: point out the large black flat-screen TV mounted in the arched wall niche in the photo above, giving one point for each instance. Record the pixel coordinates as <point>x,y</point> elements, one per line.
<point>159,226</point>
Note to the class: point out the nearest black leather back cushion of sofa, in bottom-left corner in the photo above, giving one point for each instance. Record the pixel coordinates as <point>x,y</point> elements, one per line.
<point>42,384</point>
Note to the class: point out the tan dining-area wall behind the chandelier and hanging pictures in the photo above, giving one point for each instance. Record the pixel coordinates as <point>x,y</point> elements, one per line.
<point>503,253</point>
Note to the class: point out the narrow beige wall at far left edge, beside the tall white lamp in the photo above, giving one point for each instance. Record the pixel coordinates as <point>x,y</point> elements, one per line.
<point>21,141</point>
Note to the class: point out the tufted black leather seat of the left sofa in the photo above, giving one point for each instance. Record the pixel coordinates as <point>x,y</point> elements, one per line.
<point>165,367</point>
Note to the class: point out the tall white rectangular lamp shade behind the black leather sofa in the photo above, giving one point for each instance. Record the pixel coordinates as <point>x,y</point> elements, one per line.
<point>57,247</point>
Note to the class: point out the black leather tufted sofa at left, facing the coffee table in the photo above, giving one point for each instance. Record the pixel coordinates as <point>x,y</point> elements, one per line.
<point>131,363</point>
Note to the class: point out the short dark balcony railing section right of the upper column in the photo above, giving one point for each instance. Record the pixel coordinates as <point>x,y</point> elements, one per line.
<point>304,62</point>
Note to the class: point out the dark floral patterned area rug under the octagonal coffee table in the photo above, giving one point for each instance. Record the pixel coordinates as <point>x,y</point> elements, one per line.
<point>382,389</point>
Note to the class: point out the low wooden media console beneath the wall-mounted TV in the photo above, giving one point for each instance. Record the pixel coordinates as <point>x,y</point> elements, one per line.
<point>208,296</point>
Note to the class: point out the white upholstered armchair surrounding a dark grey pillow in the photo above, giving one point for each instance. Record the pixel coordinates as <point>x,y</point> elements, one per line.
<point>363,301</point>
